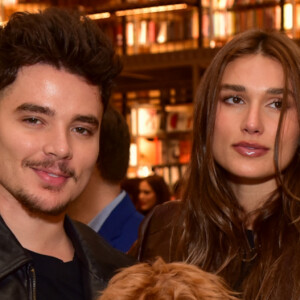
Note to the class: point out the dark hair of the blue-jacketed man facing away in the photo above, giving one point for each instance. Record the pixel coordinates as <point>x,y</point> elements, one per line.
<point>113,156</point>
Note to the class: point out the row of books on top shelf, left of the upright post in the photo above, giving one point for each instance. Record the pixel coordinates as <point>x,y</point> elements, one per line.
<point>154,29</point>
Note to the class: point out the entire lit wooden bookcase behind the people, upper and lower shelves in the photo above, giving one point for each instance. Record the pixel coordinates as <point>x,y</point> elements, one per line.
<point>166,46</point>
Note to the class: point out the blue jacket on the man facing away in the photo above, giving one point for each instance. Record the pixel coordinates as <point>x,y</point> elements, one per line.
<point>120,229</point>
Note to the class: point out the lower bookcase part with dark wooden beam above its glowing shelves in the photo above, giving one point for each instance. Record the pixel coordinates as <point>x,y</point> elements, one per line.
<point>164,84</point>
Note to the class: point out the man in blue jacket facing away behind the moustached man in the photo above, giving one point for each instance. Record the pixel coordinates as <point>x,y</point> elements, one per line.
<point>104,205</point>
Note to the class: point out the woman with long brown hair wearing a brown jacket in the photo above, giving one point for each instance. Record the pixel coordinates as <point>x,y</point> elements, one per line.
<point>240,215</point>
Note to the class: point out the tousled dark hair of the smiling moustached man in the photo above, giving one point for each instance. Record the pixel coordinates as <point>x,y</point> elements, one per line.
<point>60,38</point>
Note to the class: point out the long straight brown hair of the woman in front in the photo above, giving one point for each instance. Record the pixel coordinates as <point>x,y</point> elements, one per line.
<point>214,235</point>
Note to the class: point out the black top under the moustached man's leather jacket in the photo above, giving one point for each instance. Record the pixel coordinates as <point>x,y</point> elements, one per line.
<point>56,279</point>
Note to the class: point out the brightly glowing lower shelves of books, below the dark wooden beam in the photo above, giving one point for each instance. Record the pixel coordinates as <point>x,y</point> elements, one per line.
<point>162,139</point>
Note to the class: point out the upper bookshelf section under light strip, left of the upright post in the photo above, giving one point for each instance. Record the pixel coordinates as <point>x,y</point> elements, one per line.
<point>151,26</point>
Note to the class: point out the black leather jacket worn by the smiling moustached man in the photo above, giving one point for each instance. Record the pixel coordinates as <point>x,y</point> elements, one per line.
<point>98,260</point>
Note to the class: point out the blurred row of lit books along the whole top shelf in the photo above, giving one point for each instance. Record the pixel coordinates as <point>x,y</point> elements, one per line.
<point>150,32</point>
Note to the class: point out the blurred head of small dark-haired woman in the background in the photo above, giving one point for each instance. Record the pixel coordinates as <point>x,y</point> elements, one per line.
<point>153,190</point>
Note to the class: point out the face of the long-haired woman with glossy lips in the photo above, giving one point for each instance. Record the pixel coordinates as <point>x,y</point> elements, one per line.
<point>247,118</point>
